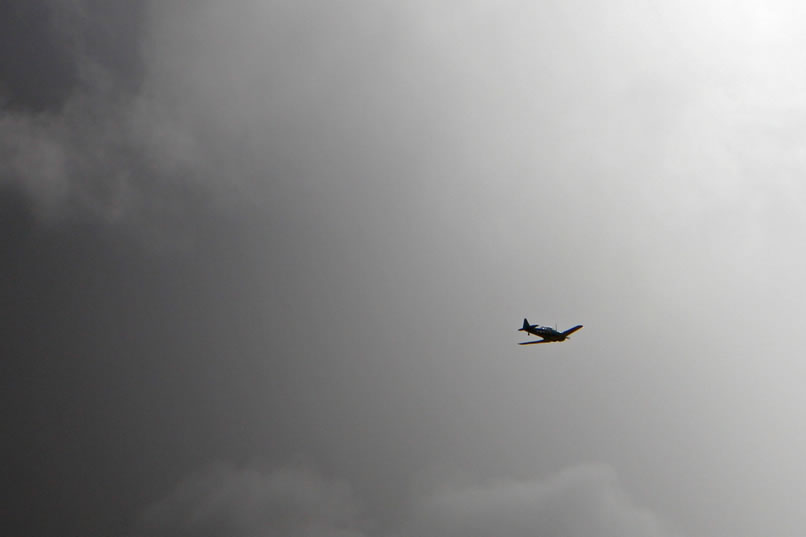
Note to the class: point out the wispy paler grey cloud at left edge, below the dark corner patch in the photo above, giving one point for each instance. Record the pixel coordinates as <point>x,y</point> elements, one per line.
<point>104,154</point>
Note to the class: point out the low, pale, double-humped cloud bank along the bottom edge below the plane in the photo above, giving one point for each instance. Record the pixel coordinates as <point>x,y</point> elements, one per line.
<point>582,501</point>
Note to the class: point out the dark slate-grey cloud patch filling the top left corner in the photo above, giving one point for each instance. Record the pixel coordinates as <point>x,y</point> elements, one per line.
<point>51,44</point>
